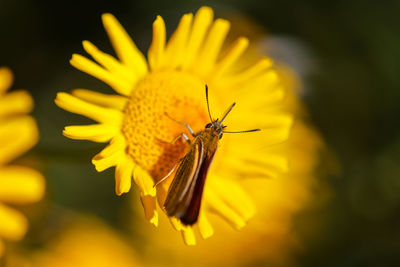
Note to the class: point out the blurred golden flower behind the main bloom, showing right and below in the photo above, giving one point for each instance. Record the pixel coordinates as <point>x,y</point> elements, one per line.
<point>271,238</point>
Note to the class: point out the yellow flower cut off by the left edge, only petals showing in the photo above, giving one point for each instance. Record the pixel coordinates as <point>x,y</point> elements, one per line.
<point>18,184</point>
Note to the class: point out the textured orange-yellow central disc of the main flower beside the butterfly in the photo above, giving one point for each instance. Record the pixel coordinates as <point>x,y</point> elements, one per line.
<point>148,124</point>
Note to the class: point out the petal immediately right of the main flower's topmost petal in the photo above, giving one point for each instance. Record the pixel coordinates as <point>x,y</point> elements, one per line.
<point>210,51</point>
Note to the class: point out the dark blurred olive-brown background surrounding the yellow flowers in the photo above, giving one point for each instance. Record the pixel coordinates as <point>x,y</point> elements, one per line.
<point>348,56</point>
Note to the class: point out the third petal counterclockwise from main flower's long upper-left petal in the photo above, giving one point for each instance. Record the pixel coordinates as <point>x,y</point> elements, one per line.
<point>120,86</point>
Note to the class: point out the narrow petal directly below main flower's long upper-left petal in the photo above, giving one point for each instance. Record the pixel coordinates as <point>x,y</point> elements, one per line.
<point>111,63</point>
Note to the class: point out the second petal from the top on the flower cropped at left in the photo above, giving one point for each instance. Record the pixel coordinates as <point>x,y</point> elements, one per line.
<point>17,102</point>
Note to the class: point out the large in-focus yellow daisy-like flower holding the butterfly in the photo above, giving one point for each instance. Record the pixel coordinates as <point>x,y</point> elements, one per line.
<point>137,122</point>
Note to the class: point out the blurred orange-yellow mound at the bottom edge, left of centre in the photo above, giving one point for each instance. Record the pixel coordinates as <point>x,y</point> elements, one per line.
<point>85,242</point>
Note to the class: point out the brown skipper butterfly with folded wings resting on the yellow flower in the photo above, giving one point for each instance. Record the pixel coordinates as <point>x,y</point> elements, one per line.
<point>185,193</point>
